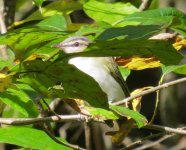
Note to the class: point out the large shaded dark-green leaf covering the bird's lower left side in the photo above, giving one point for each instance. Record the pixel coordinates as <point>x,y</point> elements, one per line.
<point>64,81</point>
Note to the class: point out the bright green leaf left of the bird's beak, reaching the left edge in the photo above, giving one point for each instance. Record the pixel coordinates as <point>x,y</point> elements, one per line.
<point>23,40</point>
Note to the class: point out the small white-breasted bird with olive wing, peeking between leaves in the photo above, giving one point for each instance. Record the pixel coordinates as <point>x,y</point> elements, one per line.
<point>102,69</point>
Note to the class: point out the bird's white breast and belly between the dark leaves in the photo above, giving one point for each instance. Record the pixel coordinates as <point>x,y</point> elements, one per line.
<point>97,68</point>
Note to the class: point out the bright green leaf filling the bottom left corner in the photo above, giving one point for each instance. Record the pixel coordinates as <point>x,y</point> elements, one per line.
<point>29,138</point>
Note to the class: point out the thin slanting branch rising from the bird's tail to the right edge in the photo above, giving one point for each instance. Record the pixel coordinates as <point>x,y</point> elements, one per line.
<point>165,85</point>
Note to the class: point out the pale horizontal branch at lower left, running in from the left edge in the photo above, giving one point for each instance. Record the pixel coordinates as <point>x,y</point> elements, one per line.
<point>27,121</point>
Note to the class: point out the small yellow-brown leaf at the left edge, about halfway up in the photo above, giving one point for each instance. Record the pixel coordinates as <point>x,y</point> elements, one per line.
<point>5,81</point>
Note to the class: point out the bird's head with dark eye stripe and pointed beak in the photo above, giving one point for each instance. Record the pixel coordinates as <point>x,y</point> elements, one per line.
<point>73,44</point>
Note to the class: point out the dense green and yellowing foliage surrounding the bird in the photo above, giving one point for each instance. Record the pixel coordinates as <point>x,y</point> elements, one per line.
<point>118,29</point>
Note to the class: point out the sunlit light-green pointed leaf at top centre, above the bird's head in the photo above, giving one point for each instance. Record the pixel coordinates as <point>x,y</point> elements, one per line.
<point>108,12</point>
